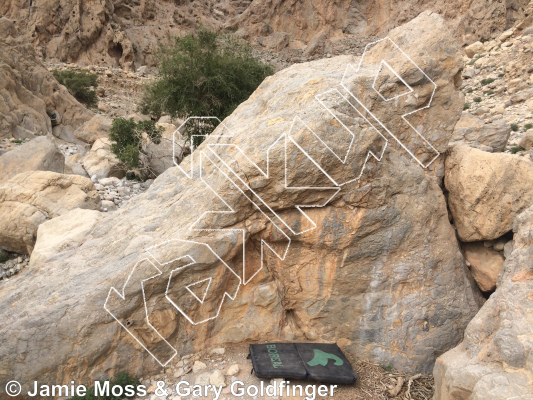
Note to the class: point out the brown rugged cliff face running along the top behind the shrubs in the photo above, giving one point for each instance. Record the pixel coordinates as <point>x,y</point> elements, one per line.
<point>127,33</point>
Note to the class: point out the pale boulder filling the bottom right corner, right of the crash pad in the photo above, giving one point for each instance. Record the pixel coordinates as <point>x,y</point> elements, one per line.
<point>494,360</point>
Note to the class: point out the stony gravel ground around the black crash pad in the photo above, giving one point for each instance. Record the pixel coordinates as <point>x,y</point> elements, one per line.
<point>373,381</point>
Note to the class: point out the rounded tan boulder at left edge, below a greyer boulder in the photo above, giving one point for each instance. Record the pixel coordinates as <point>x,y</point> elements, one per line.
<point>29,199</point>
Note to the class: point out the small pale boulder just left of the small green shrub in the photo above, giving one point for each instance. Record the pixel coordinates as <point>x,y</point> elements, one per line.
<point>100,162</point>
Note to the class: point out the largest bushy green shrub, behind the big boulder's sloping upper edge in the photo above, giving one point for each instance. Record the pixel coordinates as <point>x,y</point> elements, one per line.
<point>203,74</point>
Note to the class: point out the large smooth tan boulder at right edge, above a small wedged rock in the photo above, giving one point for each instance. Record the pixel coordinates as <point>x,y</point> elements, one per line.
<point>486,191</point>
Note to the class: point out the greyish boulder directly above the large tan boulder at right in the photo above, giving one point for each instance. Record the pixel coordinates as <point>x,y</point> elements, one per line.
<point>474,132</point>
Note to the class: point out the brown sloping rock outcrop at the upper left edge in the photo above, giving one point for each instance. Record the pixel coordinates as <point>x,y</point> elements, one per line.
<point>28,90</point>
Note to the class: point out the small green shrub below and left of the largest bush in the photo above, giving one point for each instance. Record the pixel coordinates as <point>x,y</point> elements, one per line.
<point>126,139</point>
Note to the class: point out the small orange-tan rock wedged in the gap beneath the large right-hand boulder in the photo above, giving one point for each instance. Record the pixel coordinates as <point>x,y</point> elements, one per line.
<point>485,264</point>
